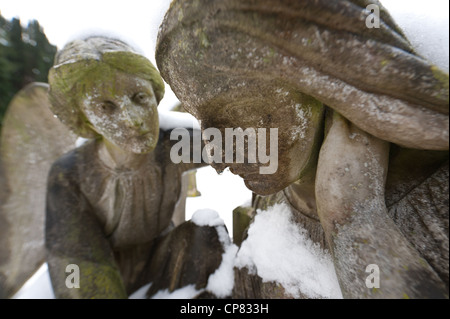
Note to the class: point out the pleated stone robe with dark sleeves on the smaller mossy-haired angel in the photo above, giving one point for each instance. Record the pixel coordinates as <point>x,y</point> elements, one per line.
<point>105,218</point>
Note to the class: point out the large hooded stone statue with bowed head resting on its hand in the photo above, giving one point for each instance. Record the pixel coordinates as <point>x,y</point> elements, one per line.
<point>362,121</point>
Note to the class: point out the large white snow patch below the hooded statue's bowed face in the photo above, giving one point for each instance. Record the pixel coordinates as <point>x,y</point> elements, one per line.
<point>280,251</point>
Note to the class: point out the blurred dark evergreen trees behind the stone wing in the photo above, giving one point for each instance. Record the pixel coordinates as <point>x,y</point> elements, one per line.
<point>25,57</point>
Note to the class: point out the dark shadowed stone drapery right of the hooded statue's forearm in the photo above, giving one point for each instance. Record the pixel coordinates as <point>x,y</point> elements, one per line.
<point>417,199</point>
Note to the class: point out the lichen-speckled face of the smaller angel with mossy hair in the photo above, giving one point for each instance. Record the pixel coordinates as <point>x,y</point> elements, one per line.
<point>123,109</point>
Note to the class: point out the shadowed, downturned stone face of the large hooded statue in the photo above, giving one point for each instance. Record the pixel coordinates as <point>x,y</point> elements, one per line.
<point>297,119</point>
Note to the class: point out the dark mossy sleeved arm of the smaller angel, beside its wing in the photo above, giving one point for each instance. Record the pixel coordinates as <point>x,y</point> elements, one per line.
<point>75,237</point>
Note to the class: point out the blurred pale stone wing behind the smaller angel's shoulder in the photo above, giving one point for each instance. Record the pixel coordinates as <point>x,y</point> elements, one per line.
<point>31,140</point>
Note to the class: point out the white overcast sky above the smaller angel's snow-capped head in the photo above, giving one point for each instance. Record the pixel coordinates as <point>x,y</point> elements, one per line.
<point>135,20</point>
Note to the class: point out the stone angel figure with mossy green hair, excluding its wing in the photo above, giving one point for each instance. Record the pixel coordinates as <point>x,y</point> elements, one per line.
<point>110,202</point>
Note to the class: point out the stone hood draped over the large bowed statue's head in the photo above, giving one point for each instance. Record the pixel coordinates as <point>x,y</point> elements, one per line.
<point>214,52</point>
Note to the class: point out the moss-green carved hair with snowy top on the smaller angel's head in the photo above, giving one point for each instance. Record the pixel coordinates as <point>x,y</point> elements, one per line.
<point>75,69</point>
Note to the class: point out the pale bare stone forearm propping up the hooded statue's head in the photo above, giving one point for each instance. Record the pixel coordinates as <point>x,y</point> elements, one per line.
<point>350,186</point>
